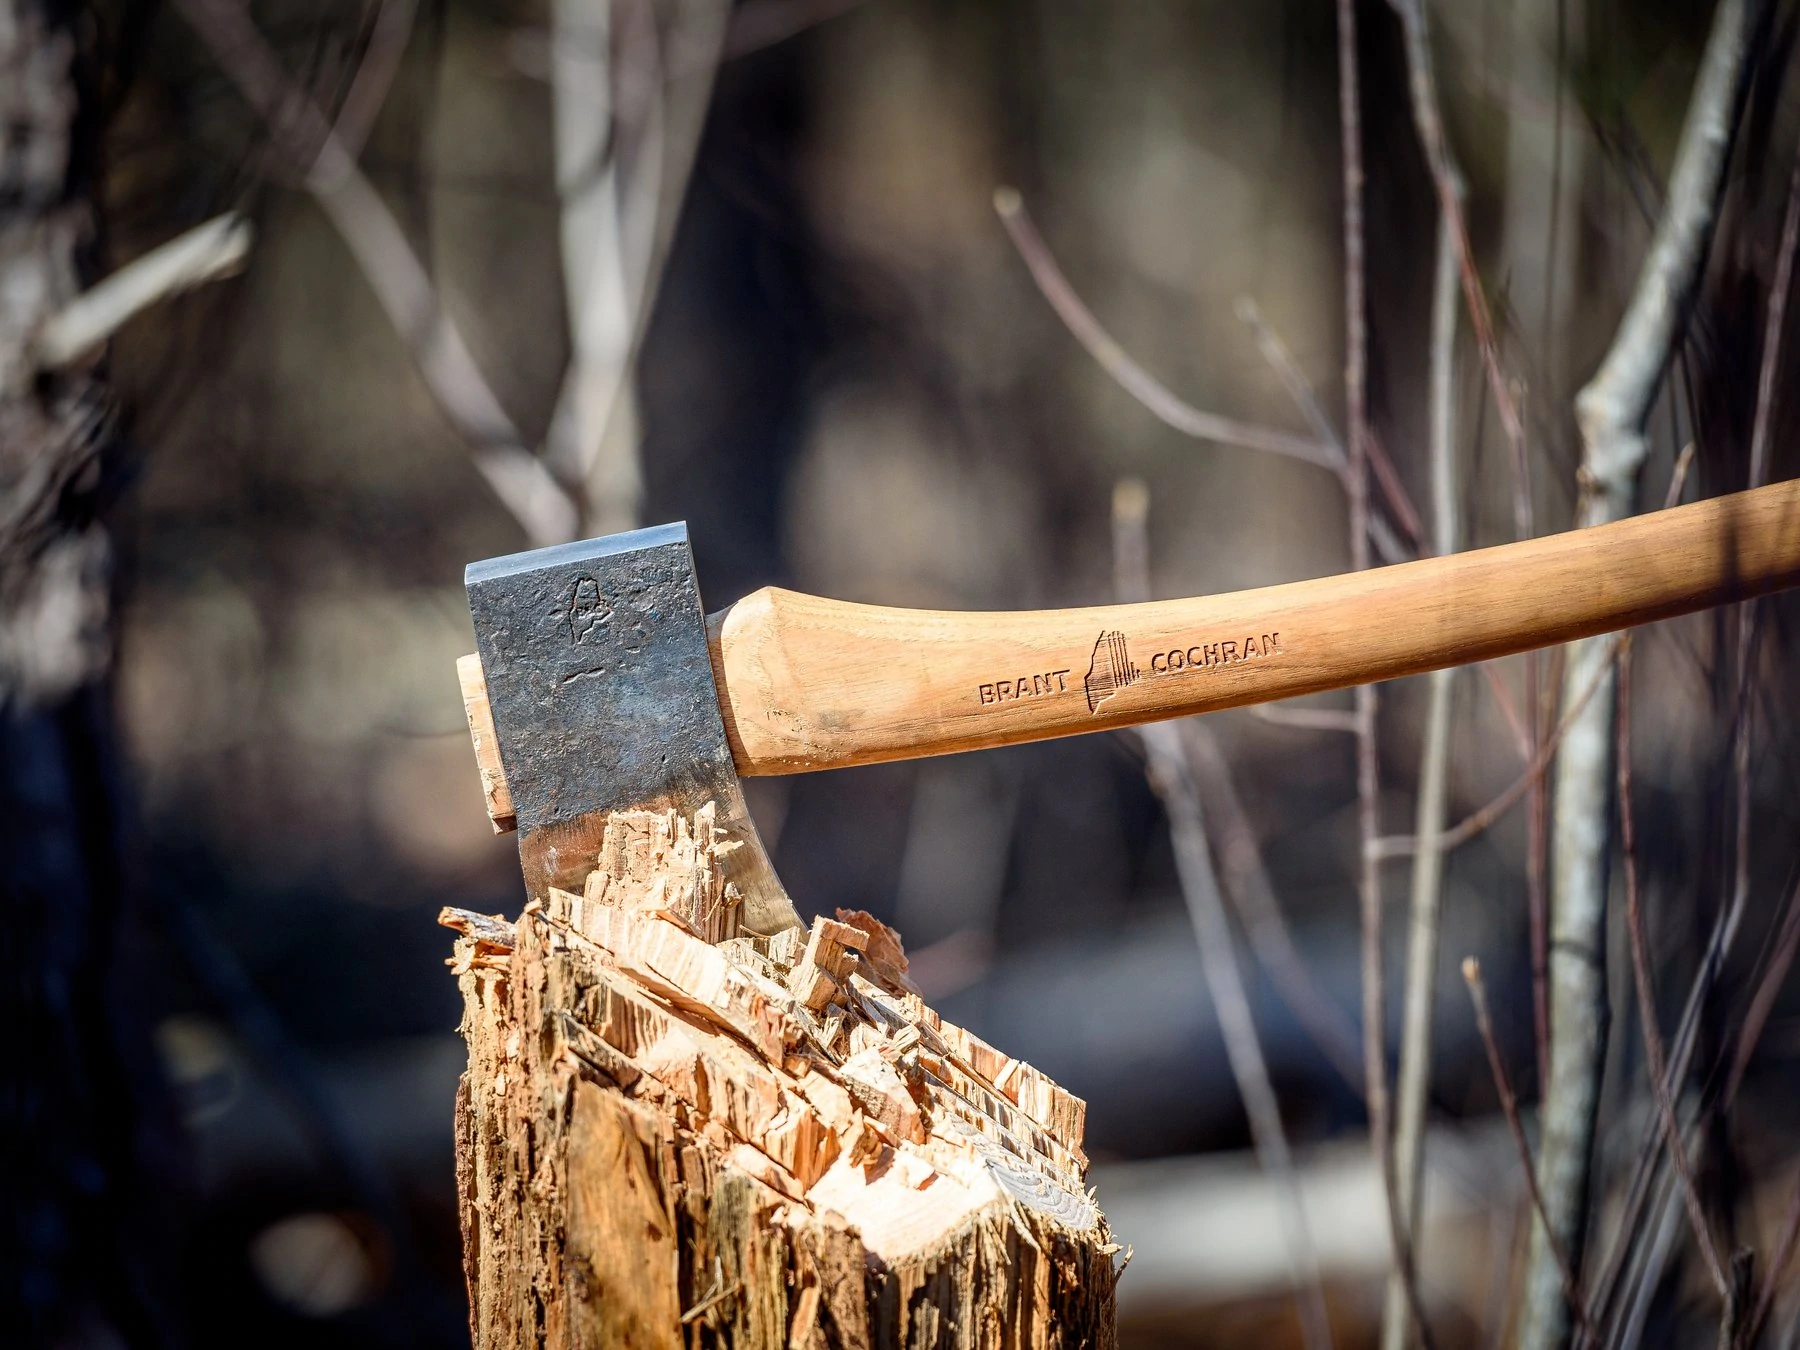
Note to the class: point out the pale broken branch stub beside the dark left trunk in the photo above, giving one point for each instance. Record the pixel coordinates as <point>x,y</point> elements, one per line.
<point>206,253</point>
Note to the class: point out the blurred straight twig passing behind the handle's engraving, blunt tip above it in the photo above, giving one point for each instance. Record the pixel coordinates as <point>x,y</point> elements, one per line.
<point>1212,933</point>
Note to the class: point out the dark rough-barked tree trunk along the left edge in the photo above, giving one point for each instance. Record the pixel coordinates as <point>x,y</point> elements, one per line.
<point>87,1245</point>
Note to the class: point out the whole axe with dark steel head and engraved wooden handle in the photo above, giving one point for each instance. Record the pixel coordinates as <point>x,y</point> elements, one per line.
<point>600,683</point>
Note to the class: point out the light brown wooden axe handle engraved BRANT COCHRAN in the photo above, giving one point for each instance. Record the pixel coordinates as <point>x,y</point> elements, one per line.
<point>811,683</point>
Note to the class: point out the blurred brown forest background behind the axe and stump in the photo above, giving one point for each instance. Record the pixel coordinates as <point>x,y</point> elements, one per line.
<point>741,265</point>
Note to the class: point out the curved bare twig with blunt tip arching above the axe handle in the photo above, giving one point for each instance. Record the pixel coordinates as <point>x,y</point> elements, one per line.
<point>1126,372</point>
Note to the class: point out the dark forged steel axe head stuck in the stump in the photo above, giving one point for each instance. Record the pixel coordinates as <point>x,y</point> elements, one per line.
<point>604,699</point>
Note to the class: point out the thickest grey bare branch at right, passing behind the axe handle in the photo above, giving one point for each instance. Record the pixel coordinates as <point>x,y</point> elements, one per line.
<point>1614,411</point>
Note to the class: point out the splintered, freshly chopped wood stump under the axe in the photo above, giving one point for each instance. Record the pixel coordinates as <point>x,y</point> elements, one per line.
<point>679,1135</point>
